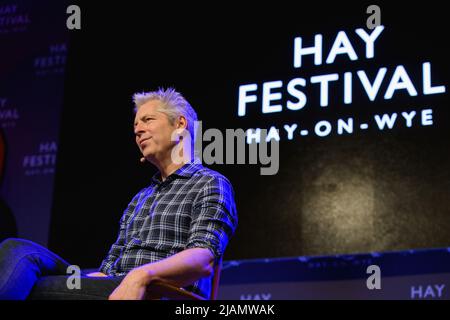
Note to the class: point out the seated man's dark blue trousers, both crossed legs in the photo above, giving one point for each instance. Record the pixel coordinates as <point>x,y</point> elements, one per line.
<point>30,271</point>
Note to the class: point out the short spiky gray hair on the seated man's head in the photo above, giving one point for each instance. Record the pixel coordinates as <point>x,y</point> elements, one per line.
<point>173,104</point>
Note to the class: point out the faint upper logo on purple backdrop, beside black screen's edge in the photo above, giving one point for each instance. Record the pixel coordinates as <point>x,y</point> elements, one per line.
<point>52,62</point>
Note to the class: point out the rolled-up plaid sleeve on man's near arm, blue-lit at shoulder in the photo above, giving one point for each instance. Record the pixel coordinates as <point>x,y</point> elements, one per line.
<point>214,218</point>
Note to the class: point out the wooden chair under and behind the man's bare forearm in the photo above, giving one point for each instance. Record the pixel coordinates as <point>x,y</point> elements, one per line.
<point>160,289</point>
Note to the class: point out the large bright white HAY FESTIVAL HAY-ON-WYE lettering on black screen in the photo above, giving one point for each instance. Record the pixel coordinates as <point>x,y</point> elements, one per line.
<point>265,98</point>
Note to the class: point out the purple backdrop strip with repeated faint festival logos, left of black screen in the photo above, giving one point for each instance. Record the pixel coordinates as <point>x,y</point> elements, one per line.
<point>34,45</point>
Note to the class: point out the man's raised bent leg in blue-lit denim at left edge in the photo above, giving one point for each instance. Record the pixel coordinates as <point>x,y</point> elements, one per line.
<point>22,263</point>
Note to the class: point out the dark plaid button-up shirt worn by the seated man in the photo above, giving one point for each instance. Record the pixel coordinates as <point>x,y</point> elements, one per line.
<point>193,208</point>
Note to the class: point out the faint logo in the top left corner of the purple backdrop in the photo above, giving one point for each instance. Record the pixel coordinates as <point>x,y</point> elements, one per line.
<point>13,19</point>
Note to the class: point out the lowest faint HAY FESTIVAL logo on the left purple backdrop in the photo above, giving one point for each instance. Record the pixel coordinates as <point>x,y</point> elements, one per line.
<point>43,162</point>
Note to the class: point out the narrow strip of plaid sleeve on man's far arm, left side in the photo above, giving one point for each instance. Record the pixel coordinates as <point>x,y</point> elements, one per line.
<point>117,248</point>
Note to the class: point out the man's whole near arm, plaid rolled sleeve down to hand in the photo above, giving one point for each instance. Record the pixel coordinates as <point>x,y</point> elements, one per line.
<point>213,222</point>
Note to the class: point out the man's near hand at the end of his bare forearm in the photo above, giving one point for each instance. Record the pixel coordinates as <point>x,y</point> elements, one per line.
<point>132,287</point>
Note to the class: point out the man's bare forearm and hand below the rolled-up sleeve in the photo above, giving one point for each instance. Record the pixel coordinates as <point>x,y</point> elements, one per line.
<point>181,269</point>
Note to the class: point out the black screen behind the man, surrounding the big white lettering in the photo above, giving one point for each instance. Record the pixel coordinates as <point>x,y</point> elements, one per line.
<point>368,191</point>
